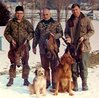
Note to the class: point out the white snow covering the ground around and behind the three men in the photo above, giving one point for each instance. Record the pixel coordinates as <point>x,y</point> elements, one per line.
<point>17,90</point>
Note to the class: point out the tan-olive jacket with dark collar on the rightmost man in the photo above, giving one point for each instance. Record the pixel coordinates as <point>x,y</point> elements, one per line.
<point>84,28</point>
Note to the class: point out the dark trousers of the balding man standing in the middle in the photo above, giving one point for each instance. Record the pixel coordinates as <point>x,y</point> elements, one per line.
<point>47,64</point>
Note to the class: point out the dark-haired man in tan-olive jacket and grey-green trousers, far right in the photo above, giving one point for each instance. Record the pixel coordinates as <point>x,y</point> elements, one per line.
<point>78,31</point>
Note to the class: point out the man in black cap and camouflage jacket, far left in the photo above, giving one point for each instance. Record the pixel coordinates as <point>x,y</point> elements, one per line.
<point>18,33</point>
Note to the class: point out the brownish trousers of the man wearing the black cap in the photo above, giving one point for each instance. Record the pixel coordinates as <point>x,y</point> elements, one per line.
<point>25,66</point>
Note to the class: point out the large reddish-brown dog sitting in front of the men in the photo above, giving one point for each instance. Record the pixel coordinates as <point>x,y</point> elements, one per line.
<point>63,75</point>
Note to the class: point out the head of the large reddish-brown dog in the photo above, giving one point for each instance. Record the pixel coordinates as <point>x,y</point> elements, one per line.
<point>67,58</point>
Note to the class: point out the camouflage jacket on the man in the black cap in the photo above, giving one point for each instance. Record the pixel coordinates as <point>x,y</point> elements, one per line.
<point>19,32</point>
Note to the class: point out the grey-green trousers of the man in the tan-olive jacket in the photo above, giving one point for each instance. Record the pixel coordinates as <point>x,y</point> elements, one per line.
<point>81,67</point>
